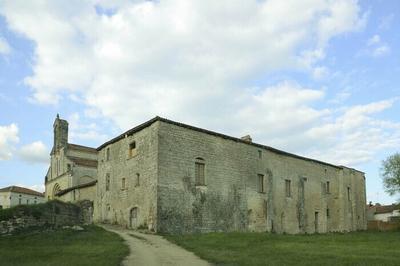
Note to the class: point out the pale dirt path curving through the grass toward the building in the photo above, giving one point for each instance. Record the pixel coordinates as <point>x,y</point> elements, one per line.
<point>152,250</point>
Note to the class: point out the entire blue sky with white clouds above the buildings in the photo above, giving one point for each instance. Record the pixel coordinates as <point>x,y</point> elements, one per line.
<point>316,78</point>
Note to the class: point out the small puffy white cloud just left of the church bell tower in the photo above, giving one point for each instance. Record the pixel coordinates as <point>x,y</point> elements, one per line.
<point>35,152</point>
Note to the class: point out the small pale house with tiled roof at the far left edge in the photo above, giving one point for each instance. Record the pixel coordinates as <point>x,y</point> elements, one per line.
<point>14,195</point>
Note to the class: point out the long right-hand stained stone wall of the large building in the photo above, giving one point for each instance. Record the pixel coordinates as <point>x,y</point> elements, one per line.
<point>230,201</point>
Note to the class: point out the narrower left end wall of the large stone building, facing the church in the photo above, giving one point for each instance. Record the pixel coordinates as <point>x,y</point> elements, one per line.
<point>115,205</point>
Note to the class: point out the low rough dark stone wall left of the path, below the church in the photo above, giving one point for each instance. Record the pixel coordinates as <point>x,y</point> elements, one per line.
<point>48,215</point>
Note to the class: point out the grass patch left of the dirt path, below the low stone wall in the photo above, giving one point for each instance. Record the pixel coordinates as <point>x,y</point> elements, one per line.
<point>93,246</point>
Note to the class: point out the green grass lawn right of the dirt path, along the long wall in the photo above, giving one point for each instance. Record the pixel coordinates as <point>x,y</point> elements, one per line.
<point>357,248</point>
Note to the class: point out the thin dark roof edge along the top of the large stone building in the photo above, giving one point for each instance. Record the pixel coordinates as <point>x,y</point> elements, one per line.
<point>157,118</point>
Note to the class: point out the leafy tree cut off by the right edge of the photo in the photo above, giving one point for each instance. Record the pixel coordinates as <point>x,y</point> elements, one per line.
<point>390,172</point>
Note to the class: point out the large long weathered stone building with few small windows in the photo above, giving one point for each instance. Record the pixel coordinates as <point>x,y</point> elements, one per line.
<point>172,177</point>
